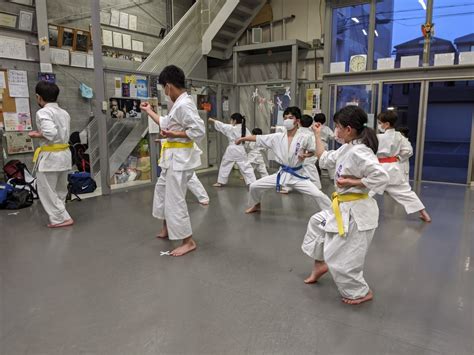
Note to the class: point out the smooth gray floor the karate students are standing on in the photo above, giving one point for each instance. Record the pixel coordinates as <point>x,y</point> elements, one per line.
<point>101,287</point>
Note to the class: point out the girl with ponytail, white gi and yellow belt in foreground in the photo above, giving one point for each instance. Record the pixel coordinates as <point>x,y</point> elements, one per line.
<point>338,238</point>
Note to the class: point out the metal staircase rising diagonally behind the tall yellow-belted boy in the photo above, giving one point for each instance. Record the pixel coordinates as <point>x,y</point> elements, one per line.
<point>209,28</point>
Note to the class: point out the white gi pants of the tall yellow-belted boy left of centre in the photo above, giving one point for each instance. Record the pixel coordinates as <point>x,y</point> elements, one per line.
<point>169,202</point>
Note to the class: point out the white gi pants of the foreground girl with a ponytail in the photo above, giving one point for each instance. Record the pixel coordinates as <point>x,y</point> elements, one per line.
<point>344,256</point>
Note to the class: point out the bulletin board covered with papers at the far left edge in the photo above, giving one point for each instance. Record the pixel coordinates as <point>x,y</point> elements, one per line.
<point>15,112</point>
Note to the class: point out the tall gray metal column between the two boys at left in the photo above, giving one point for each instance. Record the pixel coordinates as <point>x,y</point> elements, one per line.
<point>99,91</point>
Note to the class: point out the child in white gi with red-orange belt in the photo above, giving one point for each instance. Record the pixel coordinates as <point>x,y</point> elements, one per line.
<point>394,150</point>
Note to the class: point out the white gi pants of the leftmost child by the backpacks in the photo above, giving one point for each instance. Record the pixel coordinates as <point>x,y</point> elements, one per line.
<point>52,191</point>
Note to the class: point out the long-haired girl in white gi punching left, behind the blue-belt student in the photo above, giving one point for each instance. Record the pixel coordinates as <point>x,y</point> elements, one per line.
<point>235,153</point>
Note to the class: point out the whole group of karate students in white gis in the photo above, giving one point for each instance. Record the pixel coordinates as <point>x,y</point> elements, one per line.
<point>337,237</point>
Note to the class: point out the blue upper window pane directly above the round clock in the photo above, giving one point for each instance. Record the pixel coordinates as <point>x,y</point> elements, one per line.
<point>349,32</point>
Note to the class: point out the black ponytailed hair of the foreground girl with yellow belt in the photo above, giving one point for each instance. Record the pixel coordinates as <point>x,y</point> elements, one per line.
<point>356,118</point>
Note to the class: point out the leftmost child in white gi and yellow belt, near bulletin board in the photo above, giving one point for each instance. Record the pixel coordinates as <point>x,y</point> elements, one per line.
<point>52,158</point>
